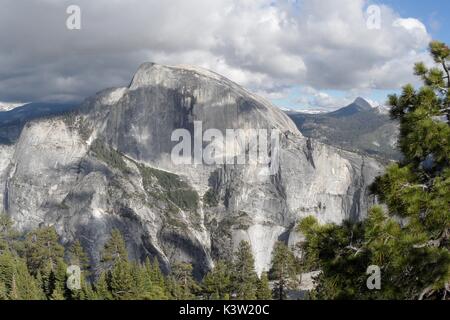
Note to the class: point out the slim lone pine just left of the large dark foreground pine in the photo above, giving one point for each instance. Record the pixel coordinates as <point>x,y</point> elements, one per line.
<point>283,271</point>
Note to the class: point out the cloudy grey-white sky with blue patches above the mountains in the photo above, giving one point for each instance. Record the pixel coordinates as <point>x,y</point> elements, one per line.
<point>300,54</point>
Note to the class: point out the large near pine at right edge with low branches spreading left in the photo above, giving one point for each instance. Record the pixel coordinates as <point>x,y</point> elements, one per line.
<point>410,240</point>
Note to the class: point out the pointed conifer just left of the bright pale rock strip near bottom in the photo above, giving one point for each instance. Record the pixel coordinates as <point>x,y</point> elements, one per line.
<point>244,278</point>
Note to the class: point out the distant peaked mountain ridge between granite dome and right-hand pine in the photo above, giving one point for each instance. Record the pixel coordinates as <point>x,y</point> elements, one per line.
<point>358,127</point>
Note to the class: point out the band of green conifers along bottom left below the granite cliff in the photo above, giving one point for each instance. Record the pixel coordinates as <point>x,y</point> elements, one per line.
<point>38,270</point>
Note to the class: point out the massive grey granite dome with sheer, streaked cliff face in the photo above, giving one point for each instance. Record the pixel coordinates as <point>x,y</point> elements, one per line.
<point>108,165</point>
